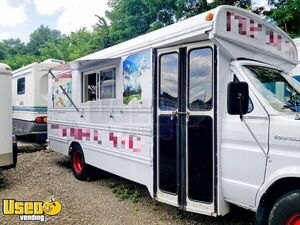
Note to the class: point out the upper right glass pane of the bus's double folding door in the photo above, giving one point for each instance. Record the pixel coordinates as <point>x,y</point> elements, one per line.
<point>200,79</point>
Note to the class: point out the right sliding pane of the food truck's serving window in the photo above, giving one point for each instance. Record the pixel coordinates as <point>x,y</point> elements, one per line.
<point>107,84</point>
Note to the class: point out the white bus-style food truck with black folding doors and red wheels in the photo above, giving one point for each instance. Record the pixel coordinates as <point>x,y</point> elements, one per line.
<point>200,112</point>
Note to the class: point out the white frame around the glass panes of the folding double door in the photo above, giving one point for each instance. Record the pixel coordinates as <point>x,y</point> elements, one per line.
<point>186,204</point>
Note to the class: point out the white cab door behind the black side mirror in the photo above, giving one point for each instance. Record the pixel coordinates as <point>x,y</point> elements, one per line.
<point>243,162</point>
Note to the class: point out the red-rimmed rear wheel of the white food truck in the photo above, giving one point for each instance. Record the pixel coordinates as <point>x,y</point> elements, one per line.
<point>80,169</point>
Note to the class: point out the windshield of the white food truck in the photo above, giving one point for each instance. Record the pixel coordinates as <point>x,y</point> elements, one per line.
<point>283,96</point>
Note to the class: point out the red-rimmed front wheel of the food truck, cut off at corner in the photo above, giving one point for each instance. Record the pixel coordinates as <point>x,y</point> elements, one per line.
<point>286,211</point>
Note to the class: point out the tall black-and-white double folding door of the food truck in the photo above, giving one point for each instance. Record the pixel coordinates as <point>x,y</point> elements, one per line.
<point>185,127</point>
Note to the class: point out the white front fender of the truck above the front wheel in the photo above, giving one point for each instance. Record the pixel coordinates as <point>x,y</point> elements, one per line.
<point>284,151</point>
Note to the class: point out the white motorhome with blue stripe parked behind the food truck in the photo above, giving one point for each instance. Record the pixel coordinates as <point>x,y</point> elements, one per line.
<point>30,99</point>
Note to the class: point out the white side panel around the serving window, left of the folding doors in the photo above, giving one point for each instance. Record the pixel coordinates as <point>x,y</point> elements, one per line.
<point>104,118</point>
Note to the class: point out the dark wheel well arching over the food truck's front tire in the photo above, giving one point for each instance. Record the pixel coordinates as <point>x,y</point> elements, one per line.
<point>274,192</point>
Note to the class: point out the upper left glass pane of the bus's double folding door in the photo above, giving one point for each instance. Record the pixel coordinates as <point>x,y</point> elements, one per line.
<point>168,82</point>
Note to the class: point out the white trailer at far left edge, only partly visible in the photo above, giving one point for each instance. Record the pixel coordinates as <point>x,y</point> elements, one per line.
<point>8,150</point>
